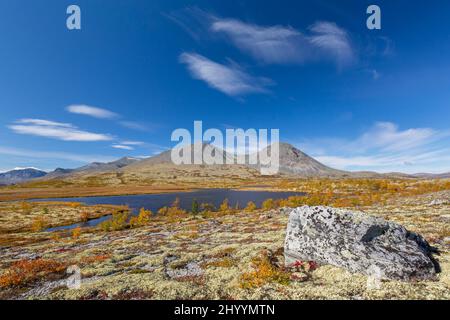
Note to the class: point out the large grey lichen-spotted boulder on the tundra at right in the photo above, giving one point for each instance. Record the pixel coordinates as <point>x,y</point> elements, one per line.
<point>359,243</point>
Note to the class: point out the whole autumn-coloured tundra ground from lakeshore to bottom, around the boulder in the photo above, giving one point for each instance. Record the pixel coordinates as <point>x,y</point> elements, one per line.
<point>222,253</point>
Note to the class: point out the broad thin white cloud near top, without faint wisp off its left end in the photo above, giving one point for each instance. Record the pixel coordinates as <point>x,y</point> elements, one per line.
<point>284,44</point>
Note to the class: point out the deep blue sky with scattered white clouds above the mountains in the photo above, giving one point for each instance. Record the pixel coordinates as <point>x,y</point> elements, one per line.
<point>354,98</point>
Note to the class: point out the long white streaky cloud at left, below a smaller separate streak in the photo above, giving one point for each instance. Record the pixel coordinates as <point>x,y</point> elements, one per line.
<point>55,130</point>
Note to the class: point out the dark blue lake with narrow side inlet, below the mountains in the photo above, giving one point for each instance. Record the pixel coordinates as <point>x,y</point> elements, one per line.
<point>156,201</point>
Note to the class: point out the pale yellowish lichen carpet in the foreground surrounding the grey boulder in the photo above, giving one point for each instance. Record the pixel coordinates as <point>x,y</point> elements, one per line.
<point>199,258</point>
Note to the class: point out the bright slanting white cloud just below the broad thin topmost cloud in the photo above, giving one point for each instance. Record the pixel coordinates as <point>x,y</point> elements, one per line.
<point>231,79</point>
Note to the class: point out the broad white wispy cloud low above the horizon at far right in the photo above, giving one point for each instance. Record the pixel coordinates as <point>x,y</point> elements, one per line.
<point>385,148</point>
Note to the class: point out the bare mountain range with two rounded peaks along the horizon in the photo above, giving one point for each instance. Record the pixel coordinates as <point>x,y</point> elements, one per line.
<point>292,162</point>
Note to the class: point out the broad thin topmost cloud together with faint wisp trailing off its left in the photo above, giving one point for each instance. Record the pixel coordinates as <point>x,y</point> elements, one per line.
<point>273,44</point>
